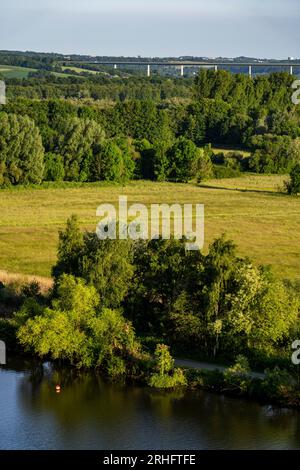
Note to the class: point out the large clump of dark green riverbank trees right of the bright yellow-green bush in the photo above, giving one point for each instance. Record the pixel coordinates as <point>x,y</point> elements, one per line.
<point>214,304</point>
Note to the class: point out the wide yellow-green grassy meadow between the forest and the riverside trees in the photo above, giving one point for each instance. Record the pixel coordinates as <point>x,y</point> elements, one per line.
<point>264,223</point>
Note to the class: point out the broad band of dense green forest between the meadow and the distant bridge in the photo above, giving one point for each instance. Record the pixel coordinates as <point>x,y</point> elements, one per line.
<point>55,128</point>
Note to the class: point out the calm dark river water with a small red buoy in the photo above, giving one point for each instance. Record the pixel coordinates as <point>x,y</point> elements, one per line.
<point>92,414</point>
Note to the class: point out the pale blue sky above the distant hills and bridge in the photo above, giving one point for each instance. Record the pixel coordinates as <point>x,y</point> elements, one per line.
<point>153,28</point>
